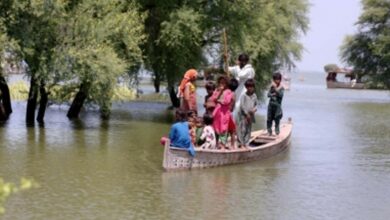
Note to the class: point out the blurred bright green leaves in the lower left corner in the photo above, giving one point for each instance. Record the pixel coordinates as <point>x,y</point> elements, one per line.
<point>6,189</point>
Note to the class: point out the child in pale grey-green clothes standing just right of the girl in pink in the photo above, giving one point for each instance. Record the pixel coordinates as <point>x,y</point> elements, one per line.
<point>246,114</point>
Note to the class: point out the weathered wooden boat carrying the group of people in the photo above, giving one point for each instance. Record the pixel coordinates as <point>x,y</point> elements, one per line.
<point>262,146</point>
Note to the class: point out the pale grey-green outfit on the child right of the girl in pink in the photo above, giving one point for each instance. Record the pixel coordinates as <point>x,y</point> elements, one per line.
<point>247,105</point>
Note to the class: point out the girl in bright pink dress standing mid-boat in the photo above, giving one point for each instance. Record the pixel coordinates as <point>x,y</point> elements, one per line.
<point>223,97</point>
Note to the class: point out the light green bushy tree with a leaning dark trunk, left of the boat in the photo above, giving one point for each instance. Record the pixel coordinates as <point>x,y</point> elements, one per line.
<point>101,43</point>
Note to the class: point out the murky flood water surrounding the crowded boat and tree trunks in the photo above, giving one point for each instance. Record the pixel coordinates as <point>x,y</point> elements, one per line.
<point>337,167</point>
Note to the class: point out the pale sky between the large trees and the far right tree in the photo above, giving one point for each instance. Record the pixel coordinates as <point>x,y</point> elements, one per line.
<point>330,22</point>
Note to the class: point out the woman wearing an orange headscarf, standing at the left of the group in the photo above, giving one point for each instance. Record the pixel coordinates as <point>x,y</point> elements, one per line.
<point>187,91</point>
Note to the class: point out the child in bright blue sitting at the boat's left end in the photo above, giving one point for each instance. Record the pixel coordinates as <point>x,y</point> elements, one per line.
<point>180,133</point>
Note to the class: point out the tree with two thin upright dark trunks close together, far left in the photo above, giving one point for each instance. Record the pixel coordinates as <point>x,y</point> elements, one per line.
<point>33,25</point>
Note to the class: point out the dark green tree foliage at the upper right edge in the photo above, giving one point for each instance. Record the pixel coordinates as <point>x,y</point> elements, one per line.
<point>369,50</point>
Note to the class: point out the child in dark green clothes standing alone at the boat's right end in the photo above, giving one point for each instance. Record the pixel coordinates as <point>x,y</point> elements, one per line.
<point>275,95</point>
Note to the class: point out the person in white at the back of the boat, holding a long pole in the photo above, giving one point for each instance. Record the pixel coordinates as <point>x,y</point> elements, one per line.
<point>242,72</point>
